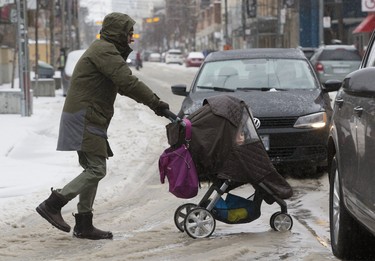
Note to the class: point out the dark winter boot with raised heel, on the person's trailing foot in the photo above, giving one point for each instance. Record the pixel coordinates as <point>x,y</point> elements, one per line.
<point>50,209</point>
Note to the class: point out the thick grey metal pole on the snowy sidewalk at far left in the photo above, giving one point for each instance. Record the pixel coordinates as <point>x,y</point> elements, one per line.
<point>23,57</point>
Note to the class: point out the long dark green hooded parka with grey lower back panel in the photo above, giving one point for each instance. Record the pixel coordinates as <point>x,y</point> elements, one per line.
<point>100,74</point>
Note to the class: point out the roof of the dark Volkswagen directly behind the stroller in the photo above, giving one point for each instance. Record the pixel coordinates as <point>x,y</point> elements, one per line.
<point>256,53</point>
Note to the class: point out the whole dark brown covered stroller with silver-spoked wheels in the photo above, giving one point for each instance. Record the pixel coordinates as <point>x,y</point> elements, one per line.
<point>228,153</point>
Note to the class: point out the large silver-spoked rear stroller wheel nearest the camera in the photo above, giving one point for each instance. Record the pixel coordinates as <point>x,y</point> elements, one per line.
<point>199,223</point>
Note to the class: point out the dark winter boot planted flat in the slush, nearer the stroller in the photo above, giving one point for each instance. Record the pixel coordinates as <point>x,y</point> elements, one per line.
<point>85,229</point>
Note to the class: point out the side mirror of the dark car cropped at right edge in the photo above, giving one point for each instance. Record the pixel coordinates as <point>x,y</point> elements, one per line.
<point>360,81</point>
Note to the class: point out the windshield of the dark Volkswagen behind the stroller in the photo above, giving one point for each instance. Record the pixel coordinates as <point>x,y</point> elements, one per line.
<point>255,74</point>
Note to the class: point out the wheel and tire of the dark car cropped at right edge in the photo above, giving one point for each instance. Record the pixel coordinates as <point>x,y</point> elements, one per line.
<point>349,240</point>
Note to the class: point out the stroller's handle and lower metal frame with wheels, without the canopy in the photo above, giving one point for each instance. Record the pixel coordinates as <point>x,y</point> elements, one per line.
<point>199,220</point>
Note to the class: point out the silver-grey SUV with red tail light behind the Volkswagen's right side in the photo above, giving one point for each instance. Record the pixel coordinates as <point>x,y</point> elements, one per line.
<point>335,61</point>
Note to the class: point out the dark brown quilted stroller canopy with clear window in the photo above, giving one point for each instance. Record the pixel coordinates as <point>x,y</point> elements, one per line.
<point>226,145</point>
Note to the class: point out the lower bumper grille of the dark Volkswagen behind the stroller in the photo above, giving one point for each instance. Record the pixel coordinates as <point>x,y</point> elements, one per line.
<point>297,153</point>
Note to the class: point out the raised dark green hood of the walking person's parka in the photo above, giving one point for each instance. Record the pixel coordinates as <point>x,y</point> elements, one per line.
<point>115,29</point>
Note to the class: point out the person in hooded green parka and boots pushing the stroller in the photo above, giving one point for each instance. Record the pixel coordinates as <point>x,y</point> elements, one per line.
<point>100,74</point>
